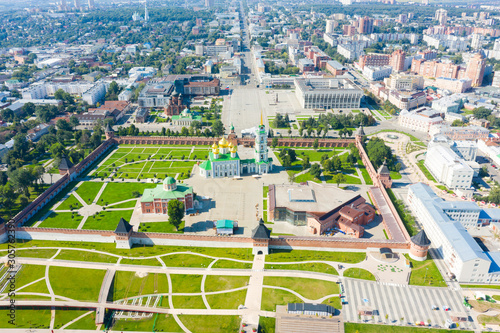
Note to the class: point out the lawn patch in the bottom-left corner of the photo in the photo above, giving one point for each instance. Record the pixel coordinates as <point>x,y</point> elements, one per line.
<point>39,318</point>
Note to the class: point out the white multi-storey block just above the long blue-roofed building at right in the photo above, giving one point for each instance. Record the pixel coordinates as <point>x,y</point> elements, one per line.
<point>448,168</point>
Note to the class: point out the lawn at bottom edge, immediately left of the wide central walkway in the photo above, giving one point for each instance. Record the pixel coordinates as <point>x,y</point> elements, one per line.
<point>211,324</point>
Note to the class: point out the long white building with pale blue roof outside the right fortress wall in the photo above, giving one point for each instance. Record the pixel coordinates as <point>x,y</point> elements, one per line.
<point>444,223</point>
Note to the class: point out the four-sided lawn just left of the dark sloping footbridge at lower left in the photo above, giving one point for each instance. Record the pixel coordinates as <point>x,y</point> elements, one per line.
<point>76,283</point>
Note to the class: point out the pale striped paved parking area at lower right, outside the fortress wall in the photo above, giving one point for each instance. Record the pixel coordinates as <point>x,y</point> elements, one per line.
<point>401,303</point>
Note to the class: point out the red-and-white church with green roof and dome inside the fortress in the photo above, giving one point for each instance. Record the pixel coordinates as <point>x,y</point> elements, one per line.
<point>155,200</point>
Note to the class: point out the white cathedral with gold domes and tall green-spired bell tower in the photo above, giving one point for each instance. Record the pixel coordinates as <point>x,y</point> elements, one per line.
<point>223,159</point>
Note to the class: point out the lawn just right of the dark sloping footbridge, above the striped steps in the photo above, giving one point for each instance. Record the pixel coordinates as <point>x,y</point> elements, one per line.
<point>129,284</point>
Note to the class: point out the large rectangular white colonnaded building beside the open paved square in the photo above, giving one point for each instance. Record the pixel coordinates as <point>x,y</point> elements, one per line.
<point>327,93</point>
